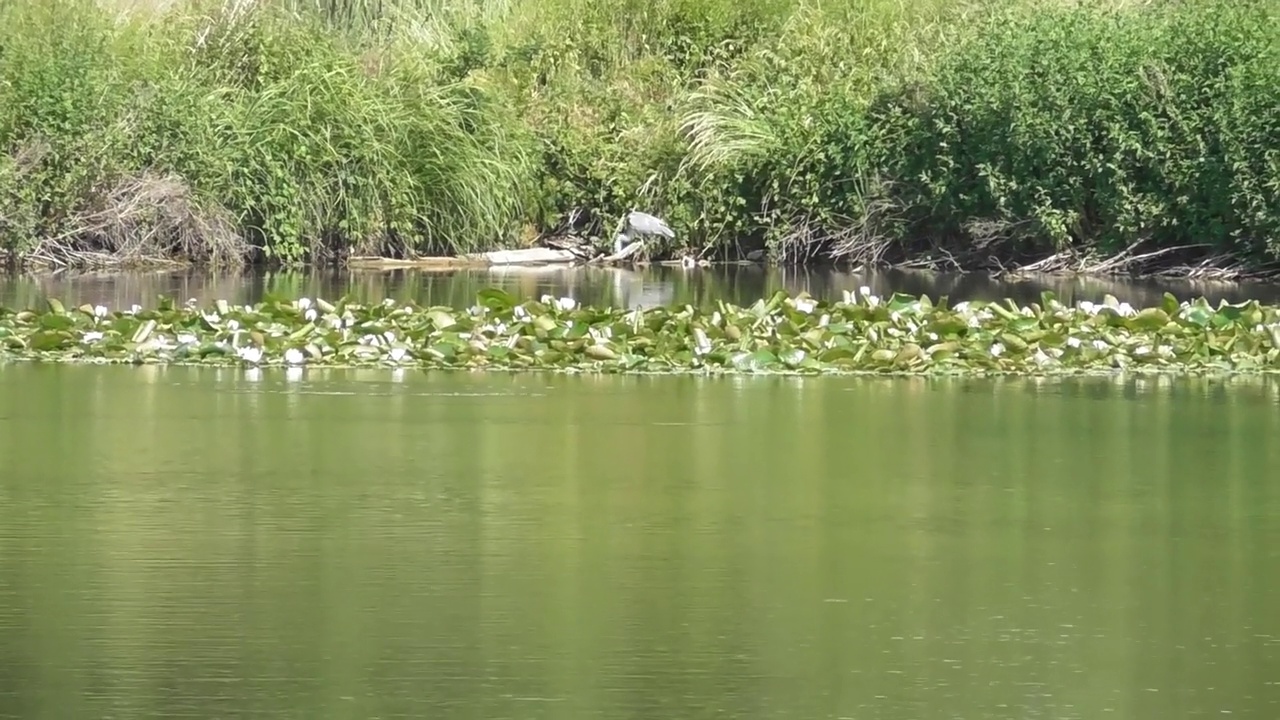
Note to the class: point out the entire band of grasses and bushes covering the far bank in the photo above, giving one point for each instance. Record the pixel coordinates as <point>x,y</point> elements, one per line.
<point>1077,136</point>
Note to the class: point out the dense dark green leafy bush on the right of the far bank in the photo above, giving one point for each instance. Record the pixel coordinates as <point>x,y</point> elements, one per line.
<point>1072,126</point>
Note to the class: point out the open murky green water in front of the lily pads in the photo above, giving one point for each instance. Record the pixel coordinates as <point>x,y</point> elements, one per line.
<point>364,545</point>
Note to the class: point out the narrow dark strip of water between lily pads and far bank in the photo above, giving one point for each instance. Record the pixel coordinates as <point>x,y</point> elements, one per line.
<point>600,286</point>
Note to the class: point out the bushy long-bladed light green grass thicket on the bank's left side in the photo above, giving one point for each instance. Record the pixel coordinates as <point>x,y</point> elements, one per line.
<point>312,145</point>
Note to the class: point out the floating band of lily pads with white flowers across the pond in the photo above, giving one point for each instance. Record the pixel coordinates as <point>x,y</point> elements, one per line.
<point>860,334</point>
